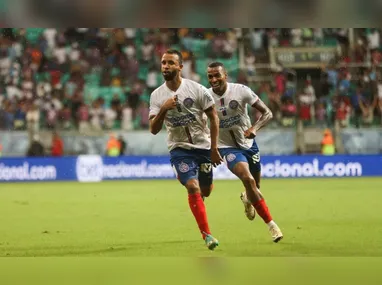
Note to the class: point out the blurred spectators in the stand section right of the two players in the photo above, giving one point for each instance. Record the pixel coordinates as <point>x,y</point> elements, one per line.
<point>350,88</point>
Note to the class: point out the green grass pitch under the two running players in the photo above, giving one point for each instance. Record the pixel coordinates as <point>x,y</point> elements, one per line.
<point>319,218</point>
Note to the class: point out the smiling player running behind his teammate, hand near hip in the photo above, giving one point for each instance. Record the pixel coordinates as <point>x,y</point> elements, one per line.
<point>236,140</point>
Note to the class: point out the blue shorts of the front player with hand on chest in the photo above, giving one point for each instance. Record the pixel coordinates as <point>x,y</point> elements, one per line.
<point>192,164</point>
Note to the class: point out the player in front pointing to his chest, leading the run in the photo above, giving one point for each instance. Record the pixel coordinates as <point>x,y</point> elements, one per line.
<point>184,106</point>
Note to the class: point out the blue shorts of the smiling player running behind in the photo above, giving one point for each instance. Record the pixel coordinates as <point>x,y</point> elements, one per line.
<point>234,155</point>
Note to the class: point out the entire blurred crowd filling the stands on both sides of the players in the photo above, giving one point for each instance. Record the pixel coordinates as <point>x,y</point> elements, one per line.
<point>102,78</point>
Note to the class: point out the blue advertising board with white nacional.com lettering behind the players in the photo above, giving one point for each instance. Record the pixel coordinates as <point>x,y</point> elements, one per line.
<point>95,168</point>
